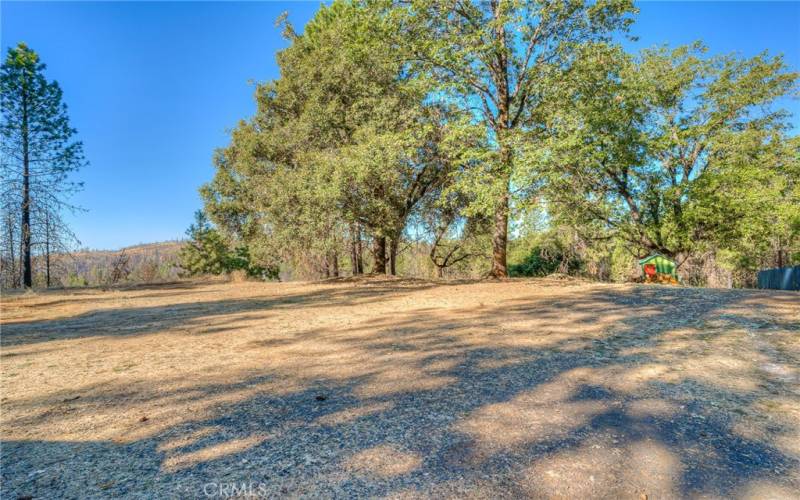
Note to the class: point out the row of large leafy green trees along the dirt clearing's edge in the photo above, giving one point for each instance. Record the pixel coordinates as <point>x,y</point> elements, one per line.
<point>469,127</point>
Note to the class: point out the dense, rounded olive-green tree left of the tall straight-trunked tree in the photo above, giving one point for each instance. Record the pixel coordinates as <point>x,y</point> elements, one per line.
<point>345,139</point>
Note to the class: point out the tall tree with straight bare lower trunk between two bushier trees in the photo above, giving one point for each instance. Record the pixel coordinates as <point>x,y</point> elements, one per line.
<point>500,61</point>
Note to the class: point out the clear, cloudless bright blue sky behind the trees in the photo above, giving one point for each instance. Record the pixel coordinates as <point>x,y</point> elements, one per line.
<point>153,87</point>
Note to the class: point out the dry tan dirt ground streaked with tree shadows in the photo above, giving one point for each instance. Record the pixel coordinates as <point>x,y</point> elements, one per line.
<point>379,387</point>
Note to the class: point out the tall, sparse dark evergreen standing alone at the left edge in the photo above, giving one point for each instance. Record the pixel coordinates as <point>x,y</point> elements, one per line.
<point>38,147</point>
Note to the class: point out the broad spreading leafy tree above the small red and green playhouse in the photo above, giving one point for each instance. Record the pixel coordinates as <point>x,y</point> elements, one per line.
<point>669,152</point>
